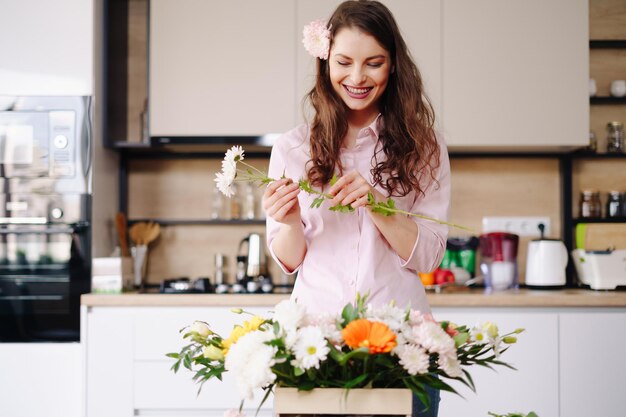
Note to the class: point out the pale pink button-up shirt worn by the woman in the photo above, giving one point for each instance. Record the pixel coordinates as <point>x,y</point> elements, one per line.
<point>346,254</point>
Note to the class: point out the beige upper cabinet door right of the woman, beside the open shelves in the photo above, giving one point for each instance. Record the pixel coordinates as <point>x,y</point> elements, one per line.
<point>515,73</point>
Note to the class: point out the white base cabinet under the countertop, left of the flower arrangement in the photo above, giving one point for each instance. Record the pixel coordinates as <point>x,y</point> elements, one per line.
<point>128,373</point>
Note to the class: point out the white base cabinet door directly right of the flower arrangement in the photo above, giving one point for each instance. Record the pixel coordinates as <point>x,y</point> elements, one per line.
<point>534,386</point>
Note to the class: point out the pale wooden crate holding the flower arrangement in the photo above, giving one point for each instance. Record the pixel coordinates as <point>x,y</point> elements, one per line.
<point>357,401</point>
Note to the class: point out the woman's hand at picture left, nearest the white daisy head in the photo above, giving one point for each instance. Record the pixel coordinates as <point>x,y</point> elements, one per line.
<point>280,201</point>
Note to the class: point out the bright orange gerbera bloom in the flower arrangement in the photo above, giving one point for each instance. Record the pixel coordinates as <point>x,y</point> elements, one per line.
<point>375,336</point>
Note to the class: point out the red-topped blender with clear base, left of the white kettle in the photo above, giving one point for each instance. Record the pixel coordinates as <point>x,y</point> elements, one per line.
<point>499,260</point>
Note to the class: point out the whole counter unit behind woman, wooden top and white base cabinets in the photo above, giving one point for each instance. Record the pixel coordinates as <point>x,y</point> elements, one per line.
<point>572,337</point>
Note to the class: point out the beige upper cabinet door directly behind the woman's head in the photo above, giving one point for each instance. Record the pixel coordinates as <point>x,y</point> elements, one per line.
<point>419,22</point>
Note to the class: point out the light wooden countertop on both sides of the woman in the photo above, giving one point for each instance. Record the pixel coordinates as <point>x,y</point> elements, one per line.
<point>466,298</point>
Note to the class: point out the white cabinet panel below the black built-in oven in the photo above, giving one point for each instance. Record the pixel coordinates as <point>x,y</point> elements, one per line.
<point>41,380</point>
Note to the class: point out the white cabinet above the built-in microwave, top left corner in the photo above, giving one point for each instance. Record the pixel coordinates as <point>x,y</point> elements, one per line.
<point>47,47</point>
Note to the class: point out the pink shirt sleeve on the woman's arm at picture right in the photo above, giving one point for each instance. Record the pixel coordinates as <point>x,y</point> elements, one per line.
<point>430,243</point>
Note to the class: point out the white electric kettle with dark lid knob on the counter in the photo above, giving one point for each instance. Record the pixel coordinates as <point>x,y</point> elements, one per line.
<point>546,262</point>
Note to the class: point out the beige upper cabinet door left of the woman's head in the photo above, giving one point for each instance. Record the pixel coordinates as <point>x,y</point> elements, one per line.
<point>222,67</point>
